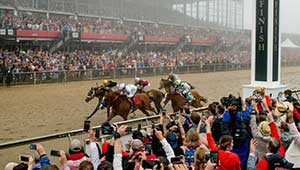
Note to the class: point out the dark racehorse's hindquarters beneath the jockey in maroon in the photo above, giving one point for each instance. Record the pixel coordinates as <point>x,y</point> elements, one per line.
<point>156,96</point>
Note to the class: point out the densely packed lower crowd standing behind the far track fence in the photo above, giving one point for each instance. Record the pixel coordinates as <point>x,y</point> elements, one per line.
<point>38,60</point>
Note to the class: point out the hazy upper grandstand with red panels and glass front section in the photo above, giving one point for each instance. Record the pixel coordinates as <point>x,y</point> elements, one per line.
<point>57,24</point>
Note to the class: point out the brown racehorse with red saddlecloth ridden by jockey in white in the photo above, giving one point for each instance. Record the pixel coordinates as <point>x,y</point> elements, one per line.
<point>121,106</point>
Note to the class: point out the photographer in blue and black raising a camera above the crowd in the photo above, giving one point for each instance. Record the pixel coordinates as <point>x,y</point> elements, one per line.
<point>235,123</point>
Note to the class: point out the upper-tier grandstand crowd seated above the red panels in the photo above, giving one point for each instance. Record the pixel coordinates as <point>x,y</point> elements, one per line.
<point>35,21</point>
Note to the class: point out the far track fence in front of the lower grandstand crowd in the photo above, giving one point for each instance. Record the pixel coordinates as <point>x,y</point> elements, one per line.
<point>61,76</point>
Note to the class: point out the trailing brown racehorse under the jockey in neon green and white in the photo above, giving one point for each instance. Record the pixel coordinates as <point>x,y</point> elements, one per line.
<point>179,101</point>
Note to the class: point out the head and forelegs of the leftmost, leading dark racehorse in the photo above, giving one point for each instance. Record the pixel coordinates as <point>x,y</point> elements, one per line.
<point>95,92</point>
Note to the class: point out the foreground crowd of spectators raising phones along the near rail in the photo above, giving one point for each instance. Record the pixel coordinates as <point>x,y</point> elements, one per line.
<point>258,133</point>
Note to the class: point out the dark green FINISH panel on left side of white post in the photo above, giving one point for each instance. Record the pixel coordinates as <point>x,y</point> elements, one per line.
<point>261,40</point>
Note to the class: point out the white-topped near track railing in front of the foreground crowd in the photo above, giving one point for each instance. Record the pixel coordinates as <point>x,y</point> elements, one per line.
<point>147,120</point>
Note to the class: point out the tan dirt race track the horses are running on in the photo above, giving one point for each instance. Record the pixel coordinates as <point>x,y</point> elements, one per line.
<point>28,111</point>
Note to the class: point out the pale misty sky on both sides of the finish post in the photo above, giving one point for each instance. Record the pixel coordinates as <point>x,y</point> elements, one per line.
<point>290,15</point>
